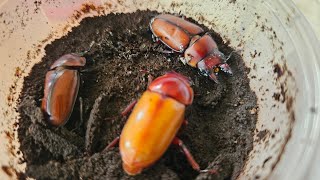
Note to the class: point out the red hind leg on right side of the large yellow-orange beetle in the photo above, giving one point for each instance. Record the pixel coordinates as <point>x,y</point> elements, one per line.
<point>190,158</point>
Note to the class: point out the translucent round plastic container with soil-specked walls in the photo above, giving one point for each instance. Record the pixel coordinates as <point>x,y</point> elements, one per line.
<point>278,46</point>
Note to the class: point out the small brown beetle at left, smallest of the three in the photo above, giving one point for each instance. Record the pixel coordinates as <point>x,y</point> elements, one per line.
<point>61,88</point>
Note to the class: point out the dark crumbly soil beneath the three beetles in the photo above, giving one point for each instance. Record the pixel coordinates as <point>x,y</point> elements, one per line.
<point>221,122</point>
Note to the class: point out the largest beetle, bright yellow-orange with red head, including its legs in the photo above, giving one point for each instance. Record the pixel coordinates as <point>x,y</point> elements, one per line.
<point>154,122</point>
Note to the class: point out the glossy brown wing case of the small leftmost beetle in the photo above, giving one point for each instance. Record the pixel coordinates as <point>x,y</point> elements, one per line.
<point>60,93</point>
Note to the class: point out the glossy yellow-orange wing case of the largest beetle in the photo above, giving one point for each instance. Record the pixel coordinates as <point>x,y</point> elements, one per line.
<point>149,130</point>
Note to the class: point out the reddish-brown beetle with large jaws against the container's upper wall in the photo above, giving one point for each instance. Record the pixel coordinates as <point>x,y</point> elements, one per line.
<point>200,51</point>
